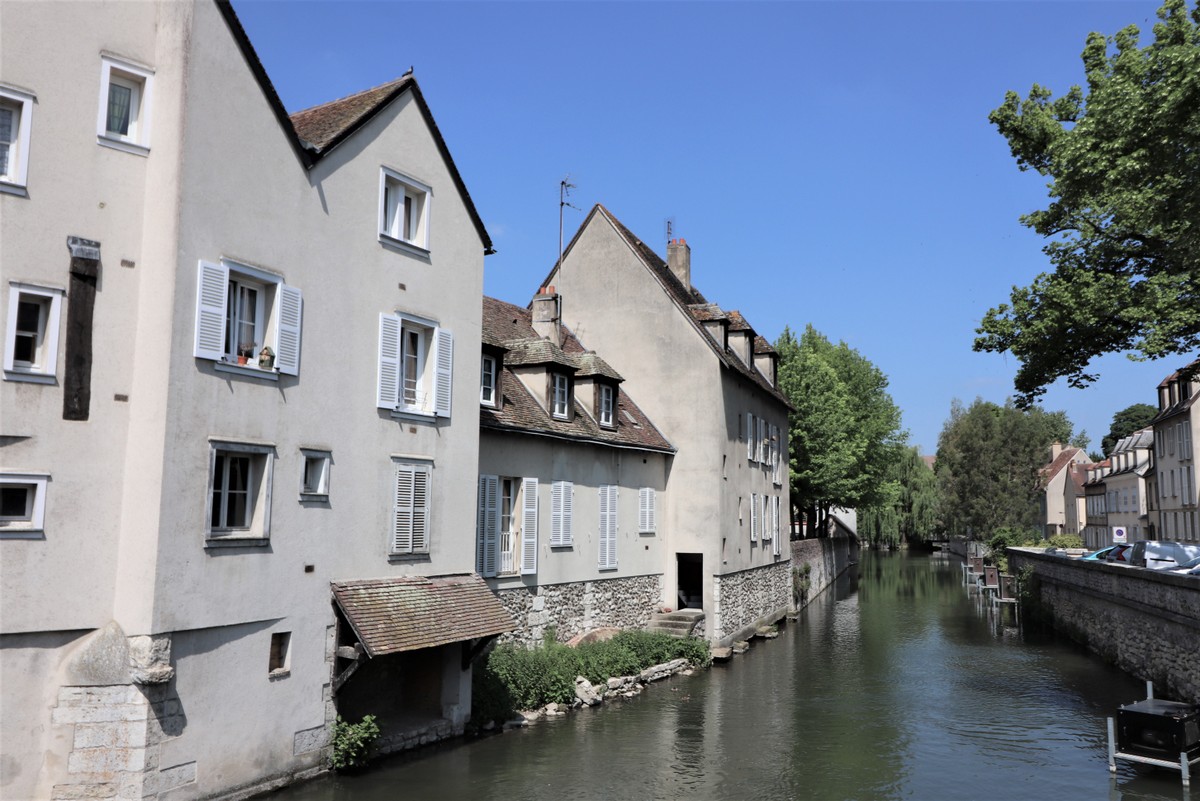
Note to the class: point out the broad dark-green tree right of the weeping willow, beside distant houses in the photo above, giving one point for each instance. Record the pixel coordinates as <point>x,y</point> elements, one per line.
<point>988,466</point>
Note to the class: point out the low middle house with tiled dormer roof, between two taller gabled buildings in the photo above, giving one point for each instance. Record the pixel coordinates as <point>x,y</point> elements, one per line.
<point>573,477</point>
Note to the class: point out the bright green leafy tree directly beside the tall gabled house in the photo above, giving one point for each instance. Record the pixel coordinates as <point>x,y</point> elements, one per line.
<point>845,429</point>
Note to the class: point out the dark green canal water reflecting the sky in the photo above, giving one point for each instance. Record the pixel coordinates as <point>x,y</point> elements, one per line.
<point>896,684</point>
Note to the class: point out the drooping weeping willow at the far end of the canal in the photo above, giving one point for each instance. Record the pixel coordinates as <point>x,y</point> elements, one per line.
<point>909,505</point>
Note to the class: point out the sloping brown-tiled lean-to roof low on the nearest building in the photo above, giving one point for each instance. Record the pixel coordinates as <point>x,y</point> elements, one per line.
<point>411,613</point>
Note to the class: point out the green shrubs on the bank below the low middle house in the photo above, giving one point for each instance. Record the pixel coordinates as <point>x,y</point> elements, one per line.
<point>513,678</point>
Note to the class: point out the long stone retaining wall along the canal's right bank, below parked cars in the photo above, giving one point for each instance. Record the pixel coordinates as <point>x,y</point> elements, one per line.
<point>1147,623</point>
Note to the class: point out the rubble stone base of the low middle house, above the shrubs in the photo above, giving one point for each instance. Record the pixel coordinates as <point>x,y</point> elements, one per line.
<point>579,607</point>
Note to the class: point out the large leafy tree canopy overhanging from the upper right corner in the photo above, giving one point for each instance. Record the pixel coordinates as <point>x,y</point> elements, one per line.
<point>1124,164</point>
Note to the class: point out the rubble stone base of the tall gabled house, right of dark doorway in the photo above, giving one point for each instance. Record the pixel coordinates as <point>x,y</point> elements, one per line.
<point>749,599</point>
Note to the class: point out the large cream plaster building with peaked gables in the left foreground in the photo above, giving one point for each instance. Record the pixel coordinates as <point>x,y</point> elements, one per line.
<point>182,533</point>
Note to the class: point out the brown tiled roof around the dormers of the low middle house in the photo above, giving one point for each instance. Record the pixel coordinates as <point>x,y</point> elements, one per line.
<point>521,413</point>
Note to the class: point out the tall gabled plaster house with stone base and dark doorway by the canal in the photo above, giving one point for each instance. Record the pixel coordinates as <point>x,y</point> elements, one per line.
<point>710,384</point>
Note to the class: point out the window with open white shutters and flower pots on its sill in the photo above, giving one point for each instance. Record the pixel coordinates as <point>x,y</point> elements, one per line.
<point>249,318</point>
